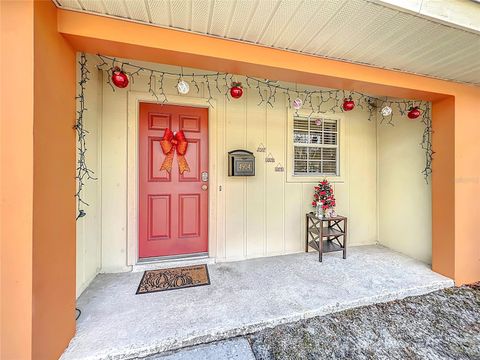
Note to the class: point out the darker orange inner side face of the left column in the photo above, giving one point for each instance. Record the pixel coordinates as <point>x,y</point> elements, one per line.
<point>54,244</point>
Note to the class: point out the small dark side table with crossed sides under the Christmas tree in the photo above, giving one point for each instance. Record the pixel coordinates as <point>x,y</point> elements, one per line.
<point>326,234</point>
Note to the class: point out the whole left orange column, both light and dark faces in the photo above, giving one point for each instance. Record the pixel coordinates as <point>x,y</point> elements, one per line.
<point>37,153</point>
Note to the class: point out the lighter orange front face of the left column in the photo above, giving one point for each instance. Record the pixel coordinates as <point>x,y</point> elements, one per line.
<point>16,179</point>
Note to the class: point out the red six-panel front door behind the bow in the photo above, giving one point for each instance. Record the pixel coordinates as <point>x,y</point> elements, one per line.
<point>173,207</point>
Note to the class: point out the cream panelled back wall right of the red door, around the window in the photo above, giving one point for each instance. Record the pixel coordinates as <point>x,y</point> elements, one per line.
<point>264,215</point>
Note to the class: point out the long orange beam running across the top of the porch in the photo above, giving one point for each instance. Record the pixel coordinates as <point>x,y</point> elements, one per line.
<point>173,47</point>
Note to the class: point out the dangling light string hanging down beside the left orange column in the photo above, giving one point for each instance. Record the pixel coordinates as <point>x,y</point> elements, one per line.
<point>83,172</point>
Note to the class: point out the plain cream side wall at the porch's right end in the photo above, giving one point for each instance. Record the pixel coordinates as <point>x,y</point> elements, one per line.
<point>404,199</point>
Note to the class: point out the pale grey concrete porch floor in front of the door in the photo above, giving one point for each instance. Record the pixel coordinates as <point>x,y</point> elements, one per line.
<point>243,297</point>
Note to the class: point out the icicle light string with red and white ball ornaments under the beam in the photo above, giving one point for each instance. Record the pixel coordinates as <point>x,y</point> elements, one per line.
<point>120,72</point>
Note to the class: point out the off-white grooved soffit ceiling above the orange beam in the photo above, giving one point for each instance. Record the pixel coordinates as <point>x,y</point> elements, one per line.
<point>358,31</point>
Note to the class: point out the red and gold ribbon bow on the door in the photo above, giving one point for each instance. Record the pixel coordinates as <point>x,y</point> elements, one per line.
<point>169,144</point>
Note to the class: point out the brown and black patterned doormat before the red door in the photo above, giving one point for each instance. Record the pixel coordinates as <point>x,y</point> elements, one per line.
<point>173,278</point>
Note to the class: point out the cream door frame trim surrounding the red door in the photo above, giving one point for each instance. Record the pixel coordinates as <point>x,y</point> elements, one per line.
<point>134,99</point>
